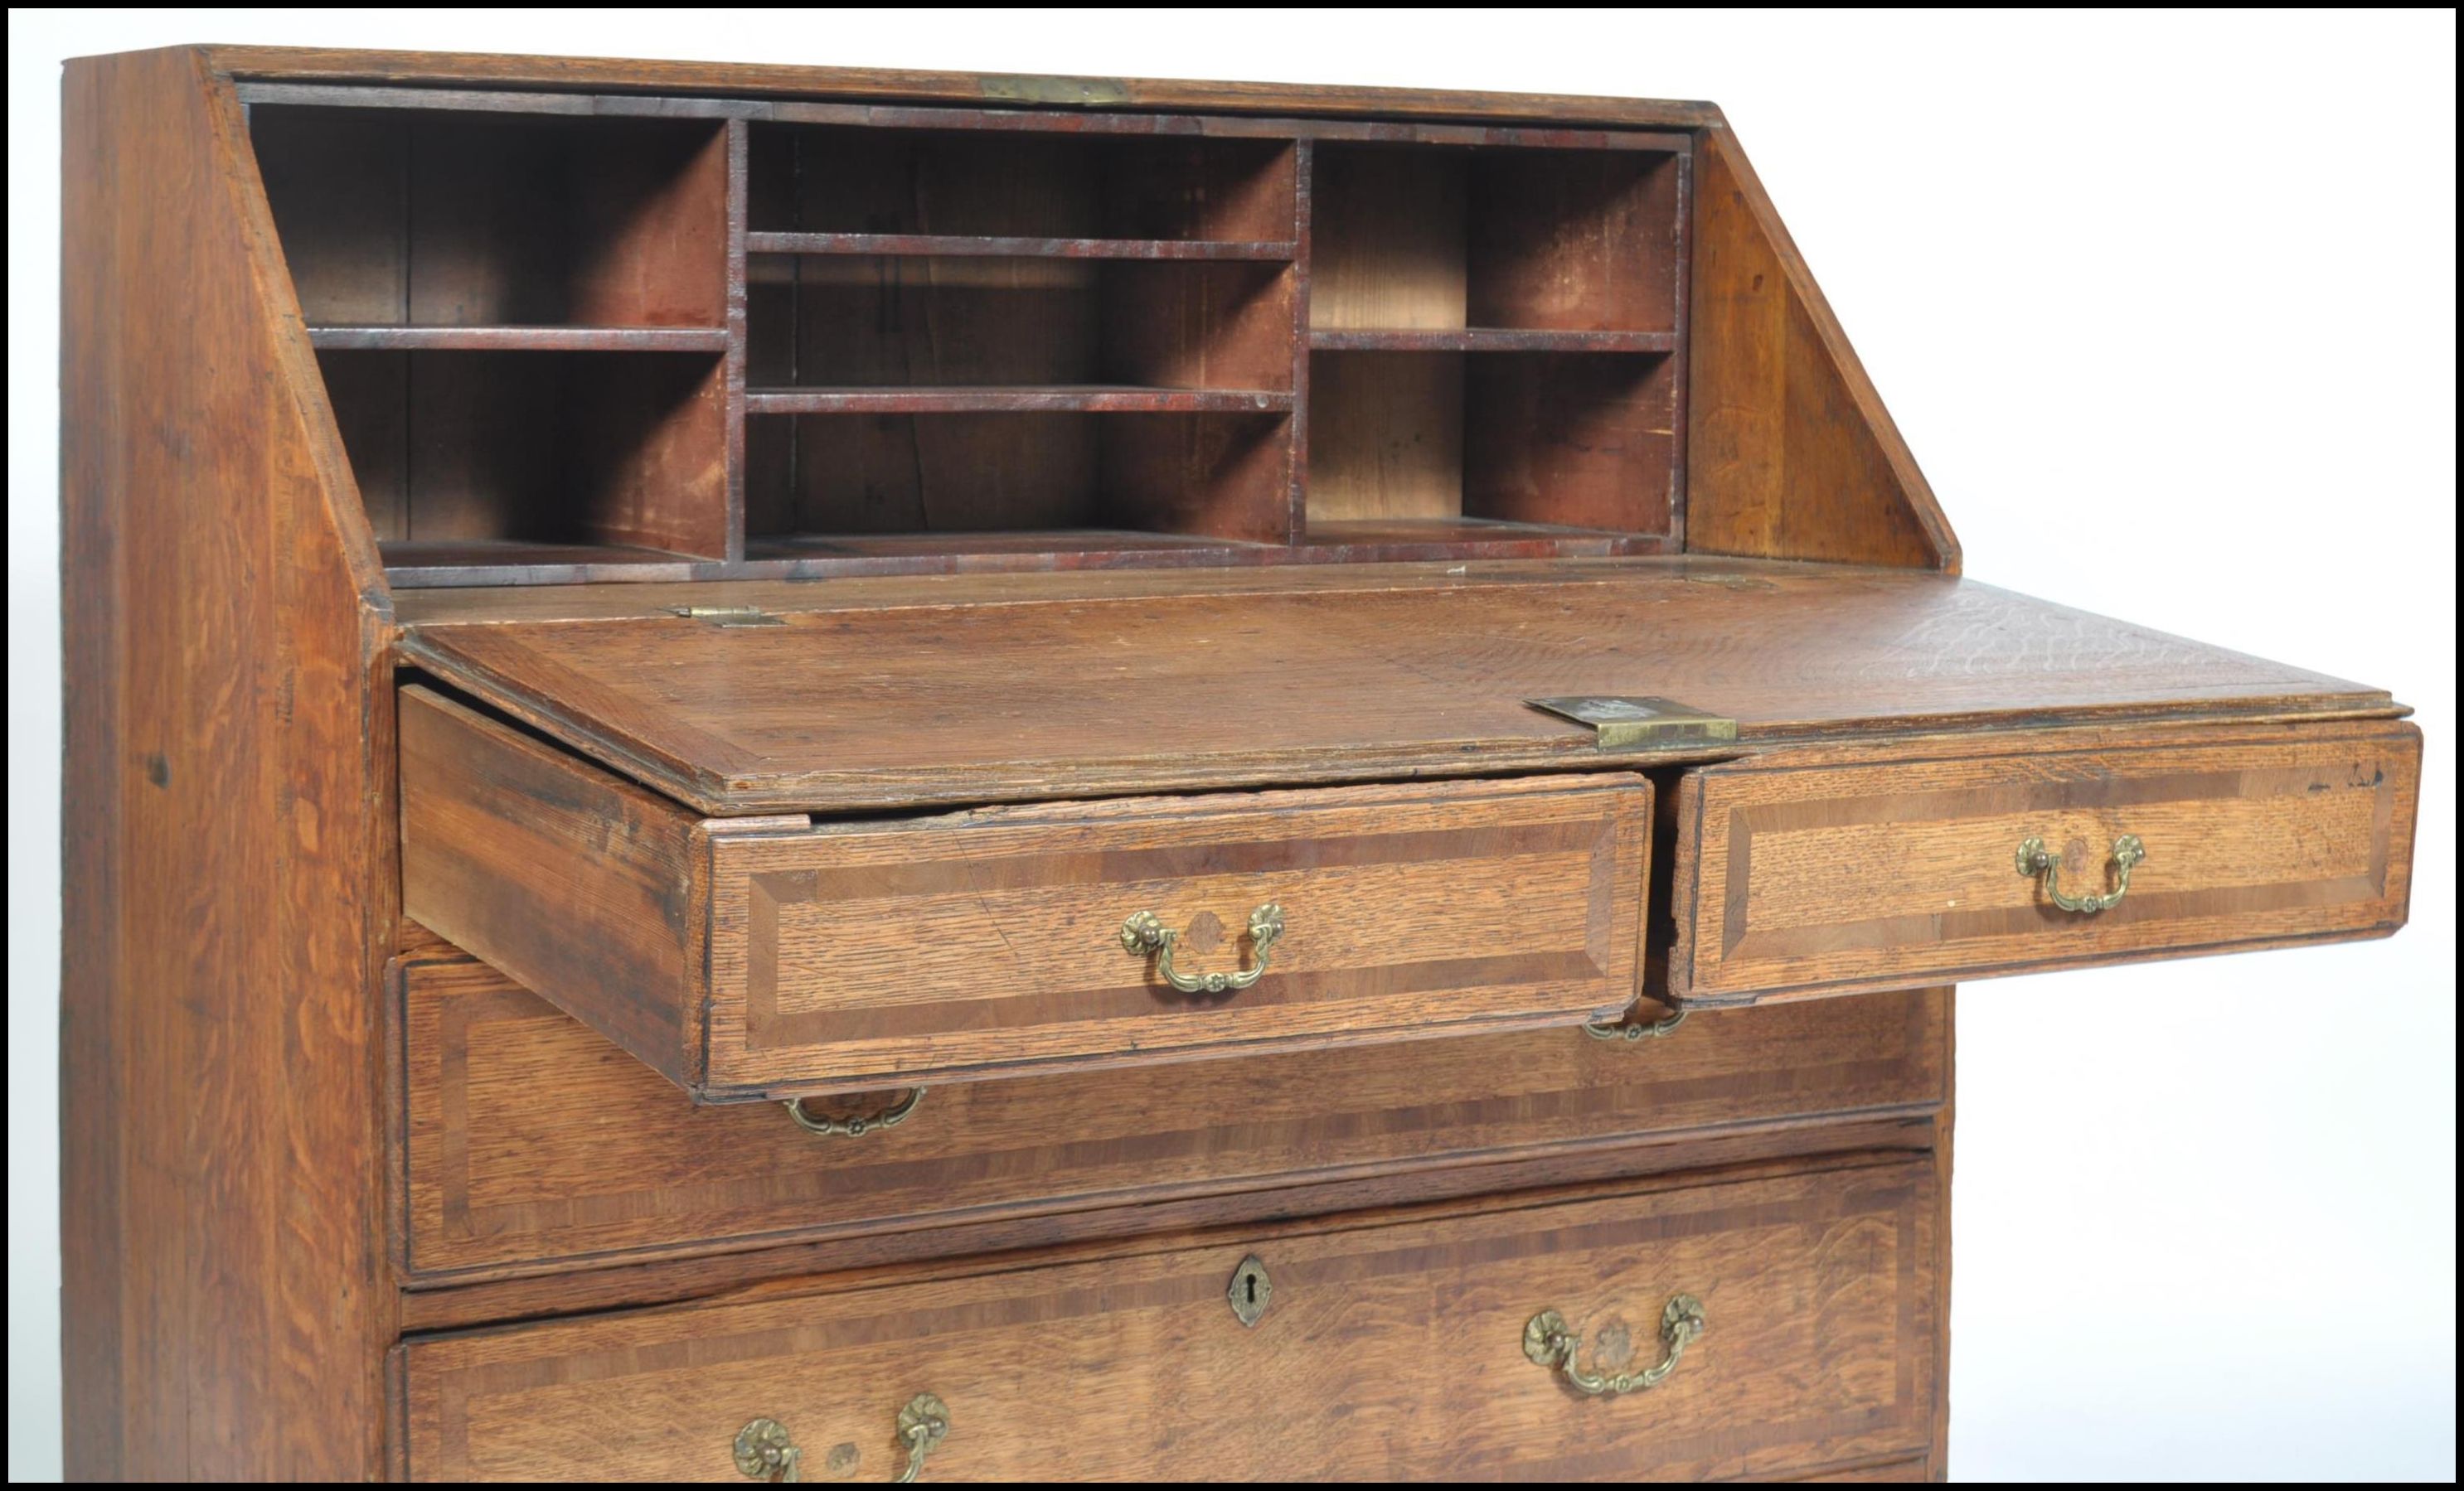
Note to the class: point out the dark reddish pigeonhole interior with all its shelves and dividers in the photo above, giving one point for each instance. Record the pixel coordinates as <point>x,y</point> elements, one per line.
<point>691,339</point>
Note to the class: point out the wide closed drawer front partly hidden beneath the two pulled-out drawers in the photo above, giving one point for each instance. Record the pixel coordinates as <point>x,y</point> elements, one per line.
<point>531,1142</point>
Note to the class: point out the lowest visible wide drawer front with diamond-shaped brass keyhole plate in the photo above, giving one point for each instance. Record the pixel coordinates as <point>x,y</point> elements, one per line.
<point>1386,1352</point>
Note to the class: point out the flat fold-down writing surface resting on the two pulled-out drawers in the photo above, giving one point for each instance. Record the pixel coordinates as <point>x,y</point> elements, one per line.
<point>1095,696</point>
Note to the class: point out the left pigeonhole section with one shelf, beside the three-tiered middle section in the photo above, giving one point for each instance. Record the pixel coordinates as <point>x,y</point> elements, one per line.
<point>521,322</point>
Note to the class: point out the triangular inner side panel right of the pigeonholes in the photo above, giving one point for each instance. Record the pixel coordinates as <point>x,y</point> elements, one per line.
<point>1790,450</point>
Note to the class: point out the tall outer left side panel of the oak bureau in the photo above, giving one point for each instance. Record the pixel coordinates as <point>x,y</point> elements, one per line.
<point>225,1300</point>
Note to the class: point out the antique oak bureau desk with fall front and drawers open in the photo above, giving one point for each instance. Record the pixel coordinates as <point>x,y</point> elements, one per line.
<point>837,775</point>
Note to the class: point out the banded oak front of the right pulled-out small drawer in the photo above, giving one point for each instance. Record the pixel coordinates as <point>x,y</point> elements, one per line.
<point>1800,881</point>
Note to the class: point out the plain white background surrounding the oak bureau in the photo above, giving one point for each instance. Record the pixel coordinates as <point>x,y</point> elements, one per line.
<point>2167,309</point>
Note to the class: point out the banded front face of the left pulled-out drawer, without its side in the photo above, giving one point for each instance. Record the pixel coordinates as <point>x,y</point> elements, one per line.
<point>994,943</point>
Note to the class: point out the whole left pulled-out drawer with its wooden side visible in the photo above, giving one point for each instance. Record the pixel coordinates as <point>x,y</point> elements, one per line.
<point>750,957</point>
